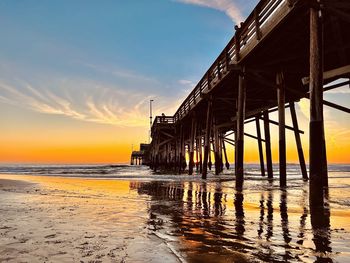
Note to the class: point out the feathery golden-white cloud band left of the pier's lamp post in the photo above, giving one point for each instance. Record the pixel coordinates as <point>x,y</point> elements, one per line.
<point>94,103</point>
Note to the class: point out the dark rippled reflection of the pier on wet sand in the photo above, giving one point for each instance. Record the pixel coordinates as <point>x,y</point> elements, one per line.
<point>210,223</point>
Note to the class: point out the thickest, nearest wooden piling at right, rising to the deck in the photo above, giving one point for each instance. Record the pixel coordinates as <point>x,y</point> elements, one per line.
<point>318,160</point>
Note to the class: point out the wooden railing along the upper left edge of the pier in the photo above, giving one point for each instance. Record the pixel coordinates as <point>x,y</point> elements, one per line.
<point>248,34</point>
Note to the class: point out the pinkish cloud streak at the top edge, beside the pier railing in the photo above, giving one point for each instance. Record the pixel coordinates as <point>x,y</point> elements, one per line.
<point>227,6</point>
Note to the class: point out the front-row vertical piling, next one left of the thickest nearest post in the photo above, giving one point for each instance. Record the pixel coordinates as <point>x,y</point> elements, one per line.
<point>240,130</point>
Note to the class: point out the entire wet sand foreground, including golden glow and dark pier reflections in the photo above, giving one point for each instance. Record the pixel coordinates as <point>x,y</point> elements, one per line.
<point>57,219</point>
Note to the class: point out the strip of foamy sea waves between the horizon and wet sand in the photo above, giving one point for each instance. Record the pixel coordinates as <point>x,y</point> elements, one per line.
<point>252,171</point>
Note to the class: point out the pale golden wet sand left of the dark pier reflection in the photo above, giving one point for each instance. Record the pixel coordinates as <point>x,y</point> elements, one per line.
<point>75,220</point>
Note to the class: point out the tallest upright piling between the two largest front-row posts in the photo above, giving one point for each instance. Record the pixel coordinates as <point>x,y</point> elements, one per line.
<point>282,130</point>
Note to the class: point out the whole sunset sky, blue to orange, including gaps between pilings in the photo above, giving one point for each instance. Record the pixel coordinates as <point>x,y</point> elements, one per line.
<point>76,76</point>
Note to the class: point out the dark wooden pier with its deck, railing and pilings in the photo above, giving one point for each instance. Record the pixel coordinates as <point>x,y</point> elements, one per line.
<point>286,50</point>
